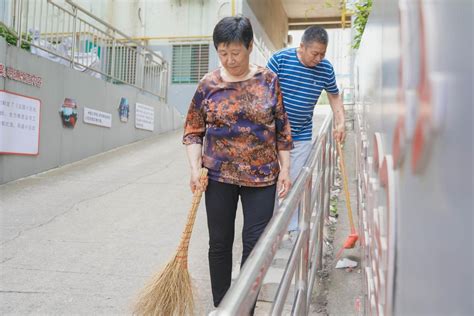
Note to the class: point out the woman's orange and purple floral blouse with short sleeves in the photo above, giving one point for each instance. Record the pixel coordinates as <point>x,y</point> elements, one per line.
<point>243,124</point>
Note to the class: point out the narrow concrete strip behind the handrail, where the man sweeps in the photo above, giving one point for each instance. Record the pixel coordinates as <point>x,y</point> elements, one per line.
<point>336,291</point>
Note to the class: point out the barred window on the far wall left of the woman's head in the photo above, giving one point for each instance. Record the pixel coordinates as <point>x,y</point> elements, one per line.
<point>190,63</point>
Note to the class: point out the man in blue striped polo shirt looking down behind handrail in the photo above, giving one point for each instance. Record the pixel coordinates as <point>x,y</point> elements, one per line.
<point>303,73</point>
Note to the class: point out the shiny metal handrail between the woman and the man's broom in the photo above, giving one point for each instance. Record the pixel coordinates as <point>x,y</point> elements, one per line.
<point>306,256</point>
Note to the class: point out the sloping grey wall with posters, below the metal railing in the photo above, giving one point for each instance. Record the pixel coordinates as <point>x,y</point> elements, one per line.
<point>59,145</point>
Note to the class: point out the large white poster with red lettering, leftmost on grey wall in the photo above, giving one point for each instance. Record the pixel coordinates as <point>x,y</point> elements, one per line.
<point>19,124</point>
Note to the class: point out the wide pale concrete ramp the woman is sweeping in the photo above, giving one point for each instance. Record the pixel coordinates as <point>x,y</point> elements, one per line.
<point>82,239</point>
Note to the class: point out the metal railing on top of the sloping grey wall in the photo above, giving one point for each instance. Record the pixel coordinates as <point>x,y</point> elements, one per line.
<point>118,57</point>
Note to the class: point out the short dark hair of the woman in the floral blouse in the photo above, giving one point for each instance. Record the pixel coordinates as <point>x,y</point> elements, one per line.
<point>233,29</point>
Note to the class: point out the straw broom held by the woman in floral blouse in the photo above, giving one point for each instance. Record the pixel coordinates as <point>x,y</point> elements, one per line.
<point>170,292</point>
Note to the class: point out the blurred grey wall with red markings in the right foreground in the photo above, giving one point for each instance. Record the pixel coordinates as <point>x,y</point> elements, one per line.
<point>427,132</point>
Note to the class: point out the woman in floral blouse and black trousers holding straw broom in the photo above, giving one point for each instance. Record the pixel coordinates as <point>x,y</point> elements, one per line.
<point>238,111</point>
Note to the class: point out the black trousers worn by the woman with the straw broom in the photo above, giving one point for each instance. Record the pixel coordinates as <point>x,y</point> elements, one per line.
<point>221,206</point>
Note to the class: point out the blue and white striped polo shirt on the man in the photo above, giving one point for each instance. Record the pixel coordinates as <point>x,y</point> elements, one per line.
<point>301,87</point>
